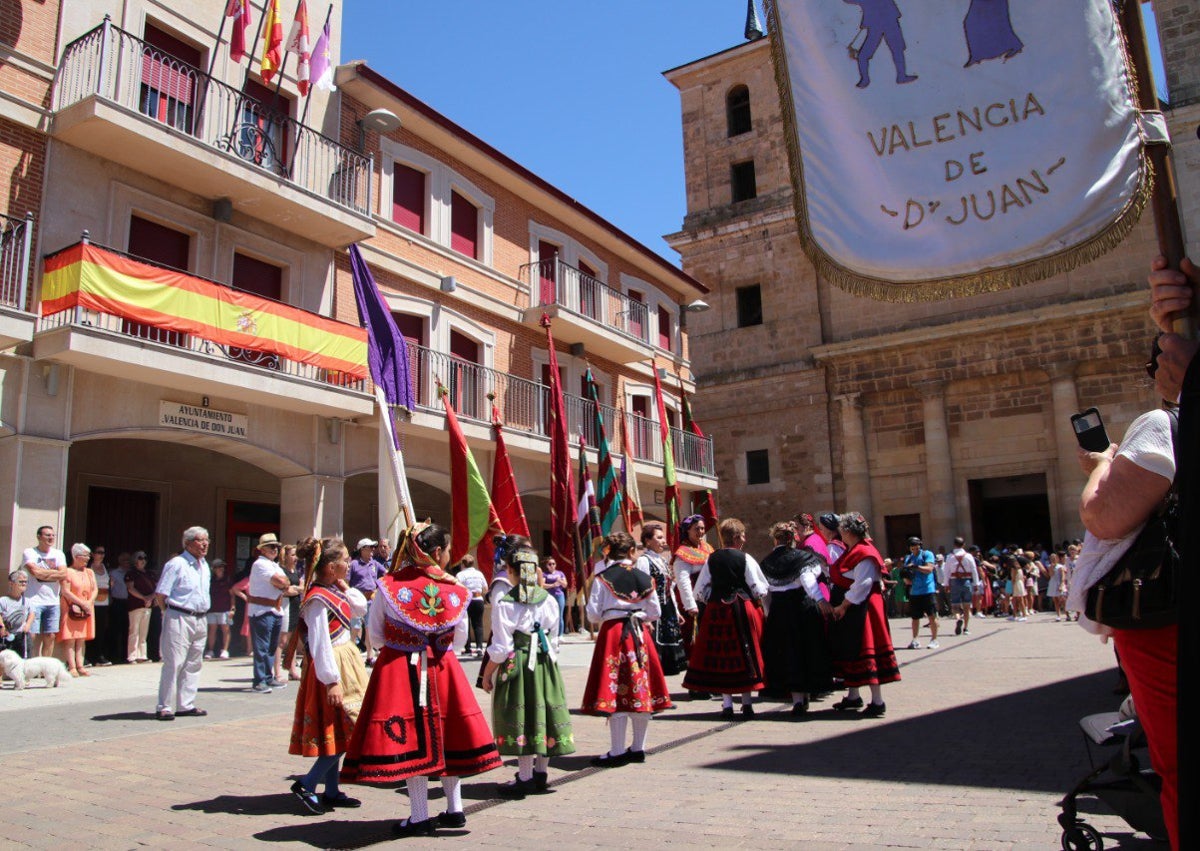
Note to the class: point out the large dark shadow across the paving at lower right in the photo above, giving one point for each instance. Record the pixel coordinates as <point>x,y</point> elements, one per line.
<point>968,746</point>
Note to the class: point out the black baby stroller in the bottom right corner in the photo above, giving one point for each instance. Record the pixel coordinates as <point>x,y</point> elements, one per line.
<point>1120,782</point>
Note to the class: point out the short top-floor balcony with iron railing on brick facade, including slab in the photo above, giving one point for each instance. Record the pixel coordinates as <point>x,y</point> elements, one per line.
<point>605,321</point>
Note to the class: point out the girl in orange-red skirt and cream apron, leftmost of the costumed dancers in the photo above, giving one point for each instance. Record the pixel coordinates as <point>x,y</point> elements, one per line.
<point>334,676</point>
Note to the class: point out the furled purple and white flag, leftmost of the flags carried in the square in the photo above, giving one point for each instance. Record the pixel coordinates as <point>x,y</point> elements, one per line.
<point>388,362</point>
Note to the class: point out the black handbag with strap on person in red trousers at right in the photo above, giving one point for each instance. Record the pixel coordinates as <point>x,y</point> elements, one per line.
<point>1141,591</point>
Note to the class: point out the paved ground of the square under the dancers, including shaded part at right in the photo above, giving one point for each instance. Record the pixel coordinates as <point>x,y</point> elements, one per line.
<point>980,742</point>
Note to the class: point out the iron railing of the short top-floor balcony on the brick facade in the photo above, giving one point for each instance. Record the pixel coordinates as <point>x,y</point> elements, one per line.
<point>554,283</point>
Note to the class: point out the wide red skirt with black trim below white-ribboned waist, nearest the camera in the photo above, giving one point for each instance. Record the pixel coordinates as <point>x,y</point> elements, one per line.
<point>395,739</point>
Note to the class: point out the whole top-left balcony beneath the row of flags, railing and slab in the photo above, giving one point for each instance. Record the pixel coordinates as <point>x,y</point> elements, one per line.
<point>128,101</point>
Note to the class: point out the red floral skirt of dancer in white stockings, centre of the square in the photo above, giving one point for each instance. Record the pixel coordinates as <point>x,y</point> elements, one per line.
<point>626,676</point>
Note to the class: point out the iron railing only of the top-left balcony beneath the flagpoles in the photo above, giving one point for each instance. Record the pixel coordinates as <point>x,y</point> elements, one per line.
<point>121,68</point>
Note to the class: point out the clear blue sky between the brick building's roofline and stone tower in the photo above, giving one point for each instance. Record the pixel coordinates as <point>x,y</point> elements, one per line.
<point>574,92</point>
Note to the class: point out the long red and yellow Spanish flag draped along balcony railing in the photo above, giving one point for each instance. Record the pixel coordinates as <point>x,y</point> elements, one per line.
<point>97,279</point>
